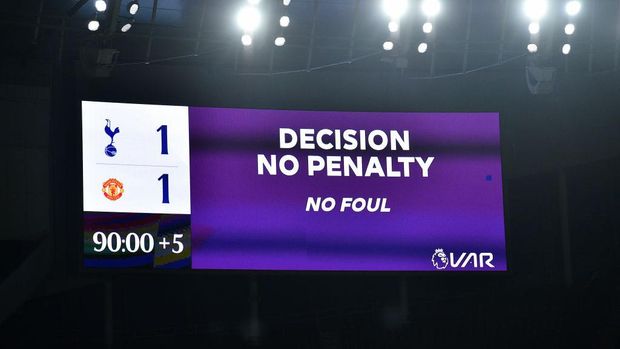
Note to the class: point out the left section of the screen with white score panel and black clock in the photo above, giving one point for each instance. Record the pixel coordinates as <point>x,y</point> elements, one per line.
<point>136,180</point>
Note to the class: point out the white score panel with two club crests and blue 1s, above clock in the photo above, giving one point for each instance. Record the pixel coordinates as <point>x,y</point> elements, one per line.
<point>135,158</point>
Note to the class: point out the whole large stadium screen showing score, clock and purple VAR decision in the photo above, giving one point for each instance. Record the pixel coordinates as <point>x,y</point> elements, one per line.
<point>252,189</point>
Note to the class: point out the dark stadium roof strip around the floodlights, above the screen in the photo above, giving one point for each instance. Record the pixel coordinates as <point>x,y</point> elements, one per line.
<point>323,34</point>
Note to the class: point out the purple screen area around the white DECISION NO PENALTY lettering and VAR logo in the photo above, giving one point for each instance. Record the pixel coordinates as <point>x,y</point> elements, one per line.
<point>241,220</point>
